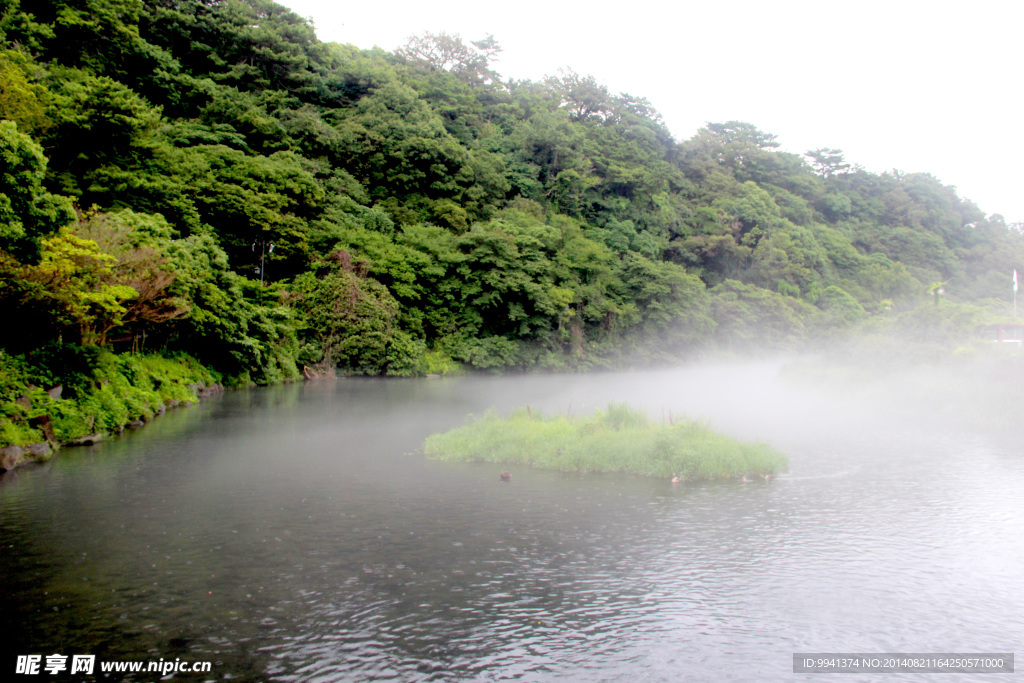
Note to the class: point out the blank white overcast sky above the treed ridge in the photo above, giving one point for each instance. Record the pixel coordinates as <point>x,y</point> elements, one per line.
<point>933,87</point>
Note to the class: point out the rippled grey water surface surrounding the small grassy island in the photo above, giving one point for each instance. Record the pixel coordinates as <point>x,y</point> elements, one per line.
<point>294,534</point>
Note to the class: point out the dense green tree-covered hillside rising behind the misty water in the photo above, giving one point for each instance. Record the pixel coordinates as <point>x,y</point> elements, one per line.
<point>207,178</point>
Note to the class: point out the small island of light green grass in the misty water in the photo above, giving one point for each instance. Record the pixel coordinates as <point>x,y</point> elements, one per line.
<point>621,440</point>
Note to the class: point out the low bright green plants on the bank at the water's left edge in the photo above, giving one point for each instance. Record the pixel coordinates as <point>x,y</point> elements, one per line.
<point>72,396</point>
